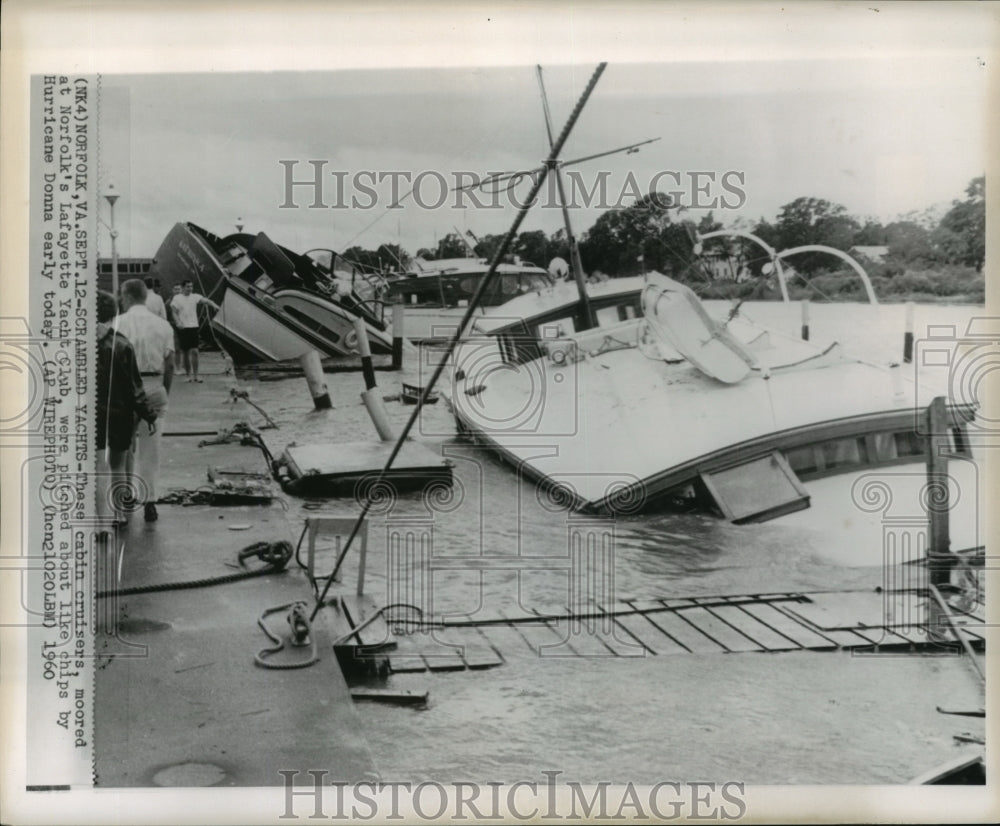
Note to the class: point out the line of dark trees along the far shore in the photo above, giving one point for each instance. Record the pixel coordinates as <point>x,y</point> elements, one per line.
<point>655,234</point>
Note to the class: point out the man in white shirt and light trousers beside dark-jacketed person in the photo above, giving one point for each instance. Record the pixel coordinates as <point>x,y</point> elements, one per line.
<point>152,339</point>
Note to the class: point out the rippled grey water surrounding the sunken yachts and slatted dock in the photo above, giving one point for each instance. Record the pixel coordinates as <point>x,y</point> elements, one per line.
<point>777,718</point>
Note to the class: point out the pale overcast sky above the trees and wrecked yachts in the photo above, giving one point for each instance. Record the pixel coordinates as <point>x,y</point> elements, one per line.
<point>883,128</point>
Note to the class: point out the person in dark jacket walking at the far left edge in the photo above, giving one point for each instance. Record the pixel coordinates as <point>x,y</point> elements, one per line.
<point>120,399</point>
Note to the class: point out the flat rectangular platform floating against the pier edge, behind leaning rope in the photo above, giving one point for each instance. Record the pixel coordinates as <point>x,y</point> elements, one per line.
<point>336,469</point>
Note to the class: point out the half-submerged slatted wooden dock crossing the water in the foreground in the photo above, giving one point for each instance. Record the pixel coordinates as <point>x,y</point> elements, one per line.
<point>858,621</point>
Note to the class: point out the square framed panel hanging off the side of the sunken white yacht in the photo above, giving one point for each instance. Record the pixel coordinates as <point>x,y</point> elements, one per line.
<point>755,491</point>
